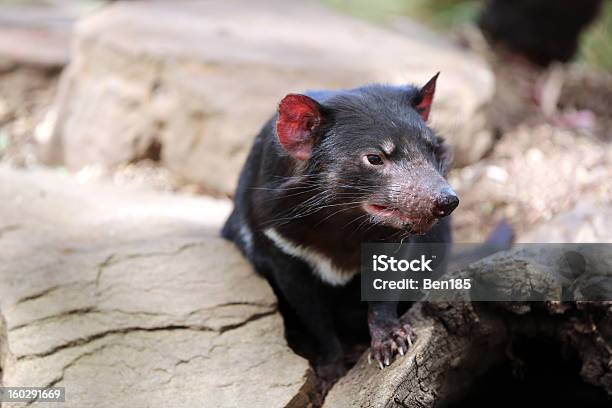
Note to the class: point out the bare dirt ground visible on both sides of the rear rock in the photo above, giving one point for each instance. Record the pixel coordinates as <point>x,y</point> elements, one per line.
<point>539,167</point>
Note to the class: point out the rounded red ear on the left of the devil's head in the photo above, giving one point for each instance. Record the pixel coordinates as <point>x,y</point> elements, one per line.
<point>298,119</point>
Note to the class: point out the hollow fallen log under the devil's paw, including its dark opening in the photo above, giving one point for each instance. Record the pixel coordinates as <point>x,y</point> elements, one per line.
<point>501,353</point>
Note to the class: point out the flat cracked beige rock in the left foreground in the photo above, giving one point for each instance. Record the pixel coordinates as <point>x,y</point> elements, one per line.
<point>128,298</point>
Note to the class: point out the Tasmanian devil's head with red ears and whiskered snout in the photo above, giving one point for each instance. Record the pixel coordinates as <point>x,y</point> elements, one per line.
<point>373,151</point>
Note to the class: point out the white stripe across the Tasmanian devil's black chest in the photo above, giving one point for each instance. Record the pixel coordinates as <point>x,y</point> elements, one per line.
<point>319,263</point>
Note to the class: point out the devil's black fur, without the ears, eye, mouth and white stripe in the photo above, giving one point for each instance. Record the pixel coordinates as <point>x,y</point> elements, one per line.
<point>318,203</point>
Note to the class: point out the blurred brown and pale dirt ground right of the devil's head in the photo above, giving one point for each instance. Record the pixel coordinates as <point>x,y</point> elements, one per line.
<point>554,149</point>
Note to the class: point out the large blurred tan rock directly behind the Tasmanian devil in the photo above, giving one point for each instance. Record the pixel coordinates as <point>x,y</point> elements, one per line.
<point>198,80</point>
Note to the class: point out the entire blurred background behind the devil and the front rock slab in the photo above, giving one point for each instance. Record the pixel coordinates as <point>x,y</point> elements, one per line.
<point>169,94</point>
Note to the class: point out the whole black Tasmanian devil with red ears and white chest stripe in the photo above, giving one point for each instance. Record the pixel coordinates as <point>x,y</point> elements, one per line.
<point>330,171</point>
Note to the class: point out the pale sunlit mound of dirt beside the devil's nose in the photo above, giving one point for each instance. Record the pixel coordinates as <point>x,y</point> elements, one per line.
<point>534,173</point>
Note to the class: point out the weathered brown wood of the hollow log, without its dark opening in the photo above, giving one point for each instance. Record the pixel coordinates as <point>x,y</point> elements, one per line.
<point>459,341</point>
